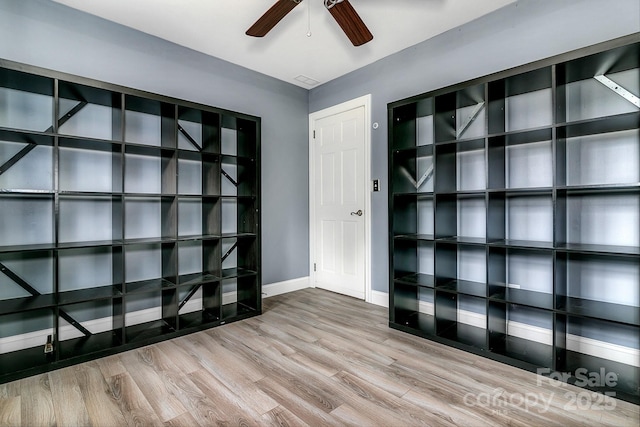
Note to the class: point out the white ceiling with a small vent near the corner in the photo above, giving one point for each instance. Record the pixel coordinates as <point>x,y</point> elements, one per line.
<point>217,28</point>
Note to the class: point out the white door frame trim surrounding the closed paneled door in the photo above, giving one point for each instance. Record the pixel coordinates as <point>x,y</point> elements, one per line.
<point>363,101</point>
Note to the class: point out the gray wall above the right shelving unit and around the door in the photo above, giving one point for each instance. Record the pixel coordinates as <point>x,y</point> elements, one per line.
<point>517,34</point>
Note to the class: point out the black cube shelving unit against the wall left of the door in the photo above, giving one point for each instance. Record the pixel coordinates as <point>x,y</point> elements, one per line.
<point>126,218</point>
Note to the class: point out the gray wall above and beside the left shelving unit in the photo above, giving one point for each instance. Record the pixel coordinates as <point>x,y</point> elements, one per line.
<point>49,35</point>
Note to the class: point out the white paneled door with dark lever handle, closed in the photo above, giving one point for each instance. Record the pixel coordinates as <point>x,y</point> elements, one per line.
<point>339,200</point>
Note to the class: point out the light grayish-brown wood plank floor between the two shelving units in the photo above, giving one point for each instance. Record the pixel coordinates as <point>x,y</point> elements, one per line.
<point>314,358</point>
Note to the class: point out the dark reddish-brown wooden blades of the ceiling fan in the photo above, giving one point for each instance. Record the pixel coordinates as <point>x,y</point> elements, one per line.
<point>341,10</point>
